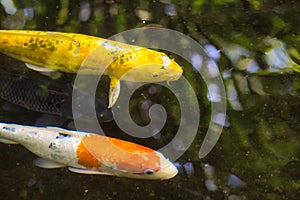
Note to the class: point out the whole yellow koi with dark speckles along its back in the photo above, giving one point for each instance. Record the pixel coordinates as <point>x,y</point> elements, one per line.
<point>69,51</point>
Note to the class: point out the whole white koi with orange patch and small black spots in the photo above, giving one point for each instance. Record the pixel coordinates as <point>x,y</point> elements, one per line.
<point>88,153</point>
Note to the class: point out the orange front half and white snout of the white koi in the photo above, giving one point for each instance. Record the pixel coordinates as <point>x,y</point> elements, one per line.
<point>124,159</point>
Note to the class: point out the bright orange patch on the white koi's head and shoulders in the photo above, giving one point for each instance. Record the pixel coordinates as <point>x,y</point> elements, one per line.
<point>123,155</point>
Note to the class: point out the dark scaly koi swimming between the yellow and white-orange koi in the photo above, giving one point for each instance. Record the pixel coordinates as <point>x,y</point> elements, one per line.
<point>46,96</point>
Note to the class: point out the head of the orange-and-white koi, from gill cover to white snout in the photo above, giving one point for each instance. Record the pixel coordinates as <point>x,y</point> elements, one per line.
<point>136,161</point>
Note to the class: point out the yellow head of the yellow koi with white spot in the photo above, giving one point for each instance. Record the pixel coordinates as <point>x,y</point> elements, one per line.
<point>145,65</point>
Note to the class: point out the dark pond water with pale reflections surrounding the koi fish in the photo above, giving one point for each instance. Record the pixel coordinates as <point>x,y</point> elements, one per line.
<point>252,49</point>
